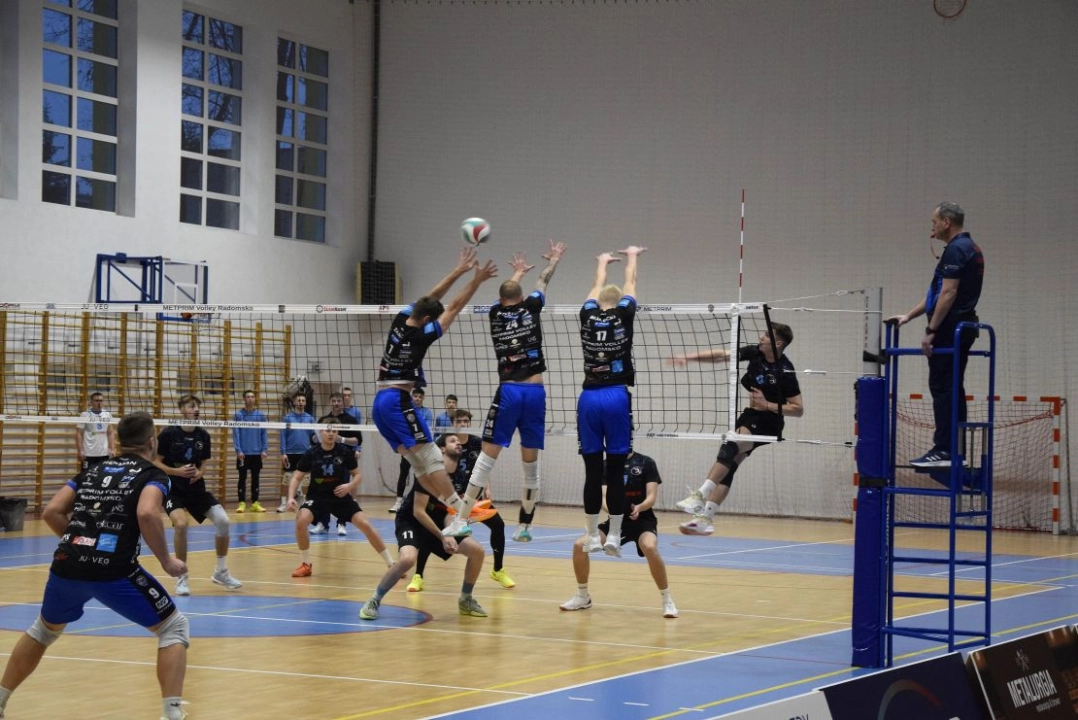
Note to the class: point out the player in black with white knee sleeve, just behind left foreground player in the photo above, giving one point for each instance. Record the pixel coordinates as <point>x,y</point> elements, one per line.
<point>182,452</point>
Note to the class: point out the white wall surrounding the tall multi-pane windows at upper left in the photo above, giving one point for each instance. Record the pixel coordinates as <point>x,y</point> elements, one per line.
<point>52,248</point>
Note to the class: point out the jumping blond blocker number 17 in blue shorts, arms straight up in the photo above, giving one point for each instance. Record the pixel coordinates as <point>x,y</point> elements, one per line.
<point>605,407</point>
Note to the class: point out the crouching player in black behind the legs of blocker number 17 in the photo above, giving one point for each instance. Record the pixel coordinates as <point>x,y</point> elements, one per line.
<point>641,527</point>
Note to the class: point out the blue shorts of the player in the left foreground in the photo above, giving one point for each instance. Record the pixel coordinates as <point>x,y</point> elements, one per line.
<point>139,598</point>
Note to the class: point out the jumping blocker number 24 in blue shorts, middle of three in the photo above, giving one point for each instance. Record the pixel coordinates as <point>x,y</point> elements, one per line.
<point>520,404</point>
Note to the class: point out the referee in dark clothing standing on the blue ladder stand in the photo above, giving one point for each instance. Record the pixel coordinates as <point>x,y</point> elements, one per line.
<point>951,299</point>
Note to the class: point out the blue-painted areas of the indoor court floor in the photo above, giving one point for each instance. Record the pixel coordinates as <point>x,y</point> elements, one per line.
<point>1033,593</point>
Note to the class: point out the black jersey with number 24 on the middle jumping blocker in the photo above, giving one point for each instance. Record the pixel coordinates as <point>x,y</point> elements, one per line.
<point>517,333</point>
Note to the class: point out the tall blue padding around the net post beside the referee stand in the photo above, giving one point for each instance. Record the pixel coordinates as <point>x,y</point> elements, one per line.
<point>869,562</point>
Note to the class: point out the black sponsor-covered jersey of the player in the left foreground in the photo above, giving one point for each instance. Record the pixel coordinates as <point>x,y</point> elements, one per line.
<point>103,539</point>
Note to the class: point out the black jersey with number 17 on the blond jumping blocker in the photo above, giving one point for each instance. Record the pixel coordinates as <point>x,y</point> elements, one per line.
<point>607,341</point>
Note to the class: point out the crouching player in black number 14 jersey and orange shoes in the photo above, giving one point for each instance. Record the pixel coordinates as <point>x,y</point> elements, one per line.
<point>335,479</point>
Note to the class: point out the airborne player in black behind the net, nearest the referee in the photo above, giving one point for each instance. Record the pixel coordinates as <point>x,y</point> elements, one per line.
<point>773,395</point>
